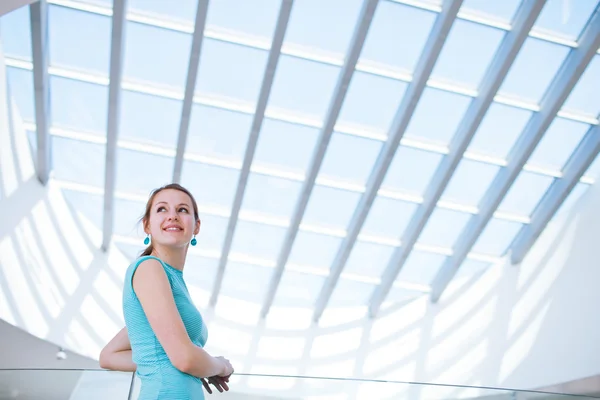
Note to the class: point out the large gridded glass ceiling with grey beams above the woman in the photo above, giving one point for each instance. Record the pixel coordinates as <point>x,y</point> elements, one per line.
<point>440,158</point>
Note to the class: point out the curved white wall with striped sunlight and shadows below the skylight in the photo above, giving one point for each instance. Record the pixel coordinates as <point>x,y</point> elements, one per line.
<point>521,327</point>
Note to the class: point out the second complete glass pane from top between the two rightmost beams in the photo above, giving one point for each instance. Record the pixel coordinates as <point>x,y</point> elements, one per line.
<point>525,194</point>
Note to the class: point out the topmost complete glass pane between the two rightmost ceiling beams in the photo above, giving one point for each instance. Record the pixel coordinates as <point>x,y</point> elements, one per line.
<point>558,143</point>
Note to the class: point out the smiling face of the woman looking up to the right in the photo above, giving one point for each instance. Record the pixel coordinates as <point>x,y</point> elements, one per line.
<point>172,222</point>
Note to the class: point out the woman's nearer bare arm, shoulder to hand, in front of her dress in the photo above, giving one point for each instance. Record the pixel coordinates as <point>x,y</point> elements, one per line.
<point>152,288</point>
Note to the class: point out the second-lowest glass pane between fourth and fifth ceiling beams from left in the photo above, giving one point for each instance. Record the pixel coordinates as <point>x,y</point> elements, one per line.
<point>258,240</point>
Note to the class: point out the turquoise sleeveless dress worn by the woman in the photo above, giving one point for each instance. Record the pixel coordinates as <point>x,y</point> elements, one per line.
<point>160,380</point>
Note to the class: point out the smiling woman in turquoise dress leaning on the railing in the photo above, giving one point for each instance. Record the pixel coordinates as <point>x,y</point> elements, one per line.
<point>164,333</point>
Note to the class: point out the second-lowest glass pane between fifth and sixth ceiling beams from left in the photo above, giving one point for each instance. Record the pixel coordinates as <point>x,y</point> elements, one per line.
<point>314,249</point>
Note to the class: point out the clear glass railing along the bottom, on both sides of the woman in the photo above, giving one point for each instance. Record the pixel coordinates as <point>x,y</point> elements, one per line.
<point>70,384</point>
